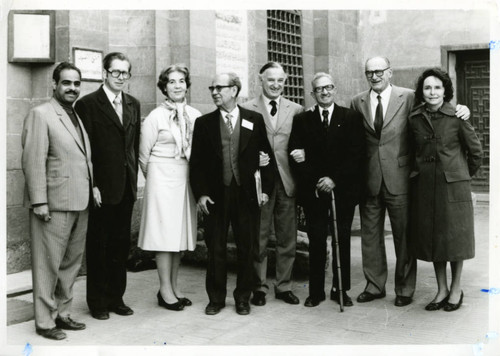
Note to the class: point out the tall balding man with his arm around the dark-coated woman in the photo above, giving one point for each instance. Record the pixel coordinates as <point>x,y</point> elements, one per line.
<point>385,109</point>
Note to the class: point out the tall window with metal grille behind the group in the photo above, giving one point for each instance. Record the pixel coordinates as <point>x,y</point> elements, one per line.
<point>284,45</point>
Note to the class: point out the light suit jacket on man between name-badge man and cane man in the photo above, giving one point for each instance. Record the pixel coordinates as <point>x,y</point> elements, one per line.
<point>278,136</point>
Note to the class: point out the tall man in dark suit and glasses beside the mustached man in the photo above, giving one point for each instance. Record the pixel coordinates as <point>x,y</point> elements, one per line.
<point>112,119</point>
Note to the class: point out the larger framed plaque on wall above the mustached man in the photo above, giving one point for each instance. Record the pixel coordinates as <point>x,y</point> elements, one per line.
<point>32,36</point>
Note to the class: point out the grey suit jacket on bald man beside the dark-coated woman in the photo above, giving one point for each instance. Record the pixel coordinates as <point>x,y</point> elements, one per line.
<point>389,157</point>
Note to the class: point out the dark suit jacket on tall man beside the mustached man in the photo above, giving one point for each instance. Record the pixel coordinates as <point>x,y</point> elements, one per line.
<point>115,147</point>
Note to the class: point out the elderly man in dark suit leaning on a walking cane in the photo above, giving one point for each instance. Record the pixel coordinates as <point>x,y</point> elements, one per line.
<point>326,153</point>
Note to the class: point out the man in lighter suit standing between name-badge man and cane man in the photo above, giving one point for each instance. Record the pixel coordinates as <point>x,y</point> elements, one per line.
<point>278,114</point>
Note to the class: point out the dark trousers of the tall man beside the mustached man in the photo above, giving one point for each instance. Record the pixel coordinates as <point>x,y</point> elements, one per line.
<point>108,244</point>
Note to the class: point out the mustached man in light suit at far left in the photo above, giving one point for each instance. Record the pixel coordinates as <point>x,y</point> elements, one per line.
<point>58,172</point>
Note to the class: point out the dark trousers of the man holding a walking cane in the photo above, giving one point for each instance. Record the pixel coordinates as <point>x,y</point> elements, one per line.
<point>318,219</point>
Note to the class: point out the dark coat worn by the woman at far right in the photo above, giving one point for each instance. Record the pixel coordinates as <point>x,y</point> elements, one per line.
<point>447,152</point>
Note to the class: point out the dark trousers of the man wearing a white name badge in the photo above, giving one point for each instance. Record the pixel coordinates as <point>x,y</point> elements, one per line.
<point>235,209</point>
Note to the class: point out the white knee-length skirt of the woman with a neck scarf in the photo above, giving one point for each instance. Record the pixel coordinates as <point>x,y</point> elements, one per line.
<point>168,221</point>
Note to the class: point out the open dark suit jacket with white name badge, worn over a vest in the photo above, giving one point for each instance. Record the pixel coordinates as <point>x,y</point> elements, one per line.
<point>205,165</point>
